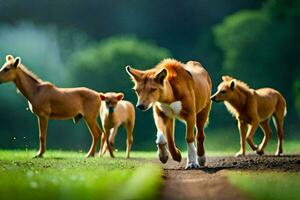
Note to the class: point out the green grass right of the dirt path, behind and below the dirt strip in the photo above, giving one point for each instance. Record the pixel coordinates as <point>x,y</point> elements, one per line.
<point>263,185</point>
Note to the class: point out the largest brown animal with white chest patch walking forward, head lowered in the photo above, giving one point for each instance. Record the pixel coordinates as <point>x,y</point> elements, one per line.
<point>176,90</point>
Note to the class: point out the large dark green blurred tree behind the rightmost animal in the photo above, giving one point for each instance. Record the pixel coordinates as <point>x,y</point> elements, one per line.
<point>262,48</point>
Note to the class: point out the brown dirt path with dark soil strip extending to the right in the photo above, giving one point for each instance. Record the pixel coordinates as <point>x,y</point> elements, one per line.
<point>210,183</point>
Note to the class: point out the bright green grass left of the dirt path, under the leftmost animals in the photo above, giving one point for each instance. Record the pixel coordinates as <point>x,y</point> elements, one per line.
<point>68,175</point>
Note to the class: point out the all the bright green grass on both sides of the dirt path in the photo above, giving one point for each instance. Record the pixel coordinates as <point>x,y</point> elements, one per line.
<point>68,175</point>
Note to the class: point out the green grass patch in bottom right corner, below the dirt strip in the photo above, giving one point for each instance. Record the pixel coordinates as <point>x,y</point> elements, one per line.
<point>267,185</point>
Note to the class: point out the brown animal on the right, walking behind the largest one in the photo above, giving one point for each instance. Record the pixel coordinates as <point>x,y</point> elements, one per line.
<point>253,108</point>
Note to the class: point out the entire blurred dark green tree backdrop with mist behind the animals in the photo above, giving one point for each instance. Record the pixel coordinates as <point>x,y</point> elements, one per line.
<point>86,43</point>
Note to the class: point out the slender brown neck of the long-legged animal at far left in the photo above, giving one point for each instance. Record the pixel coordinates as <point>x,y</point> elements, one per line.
<point>26,84</point>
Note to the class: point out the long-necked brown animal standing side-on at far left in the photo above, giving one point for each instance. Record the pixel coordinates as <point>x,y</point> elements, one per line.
<point>50,102</point>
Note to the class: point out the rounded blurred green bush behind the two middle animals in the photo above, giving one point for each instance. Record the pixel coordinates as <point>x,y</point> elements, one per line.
<point>101,66</point>
